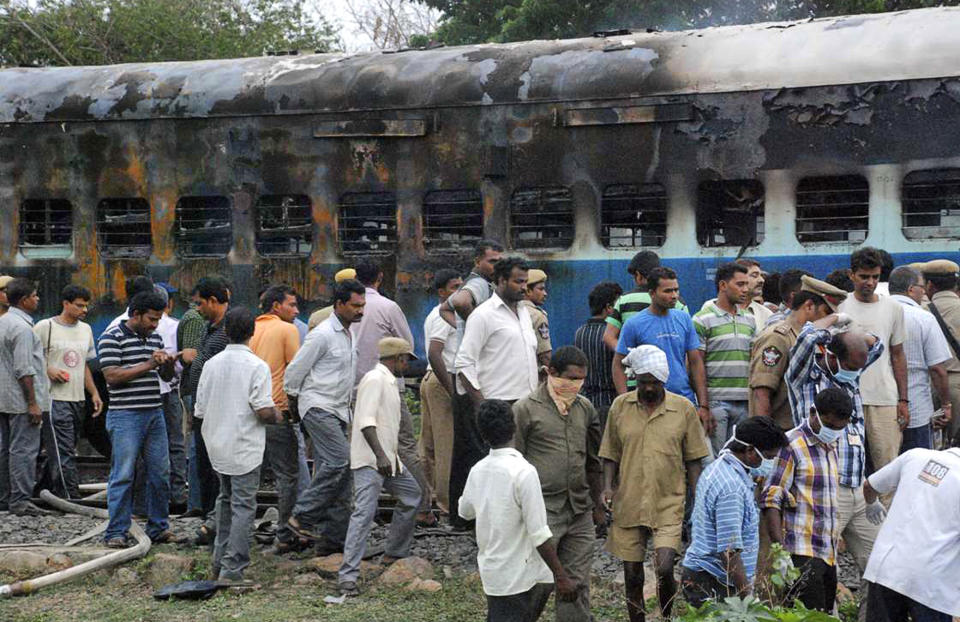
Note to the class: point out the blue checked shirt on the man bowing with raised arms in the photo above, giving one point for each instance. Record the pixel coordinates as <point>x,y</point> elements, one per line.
<point>805,378</point>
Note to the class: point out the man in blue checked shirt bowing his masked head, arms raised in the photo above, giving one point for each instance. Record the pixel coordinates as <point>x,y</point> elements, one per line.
<point>828,355</point>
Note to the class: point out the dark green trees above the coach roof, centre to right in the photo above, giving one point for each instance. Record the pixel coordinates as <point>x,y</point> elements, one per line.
<point>477,21</point>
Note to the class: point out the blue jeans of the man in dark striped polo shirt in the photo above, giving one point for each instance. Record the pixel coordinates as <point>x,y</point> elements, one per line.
<point>132,433</point>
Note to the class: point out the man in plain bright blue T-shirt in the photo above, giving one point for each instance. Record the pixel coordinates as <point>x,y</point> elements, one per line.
<point>672,331</point>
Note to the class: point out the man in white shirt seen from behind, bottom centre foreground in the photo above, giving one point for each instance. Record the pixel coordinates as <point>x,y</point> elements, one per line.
<point>503,495</point>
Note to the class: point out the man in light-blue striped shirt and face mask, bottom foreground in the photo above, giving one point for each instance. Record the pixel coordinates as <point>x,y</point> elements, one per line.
<point>722,557</point>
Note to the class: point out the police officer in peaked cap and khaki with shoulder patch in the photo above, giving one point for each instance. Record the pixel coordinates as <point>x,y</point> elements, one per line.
<point>770,355</point>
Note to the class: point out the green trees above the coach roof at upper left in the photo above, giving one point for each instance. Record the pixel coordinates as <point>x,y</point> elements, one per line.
<point>95,32</point>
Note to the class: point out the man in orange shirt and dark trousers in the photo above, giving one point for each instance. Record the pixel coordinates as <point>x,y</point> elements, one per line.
<point>276,340</point>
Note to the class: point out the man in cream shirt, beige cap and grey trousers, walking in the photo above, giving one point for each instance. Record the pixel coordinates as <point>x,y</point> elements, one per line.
<point>376,464</point>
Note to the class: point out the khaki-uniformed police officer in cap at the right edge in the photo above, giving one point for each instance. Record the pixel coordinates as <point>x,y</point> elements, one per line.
<point>942,281</point>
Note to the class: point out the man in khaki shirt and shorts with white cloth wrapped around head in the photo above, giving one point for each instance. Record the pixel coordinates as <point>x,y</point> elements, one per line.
<point>653,445</point>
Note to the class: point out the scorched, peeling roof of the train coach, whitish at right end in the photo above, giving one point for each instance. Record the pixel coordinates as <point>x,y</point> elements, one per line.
<point>830,51</point>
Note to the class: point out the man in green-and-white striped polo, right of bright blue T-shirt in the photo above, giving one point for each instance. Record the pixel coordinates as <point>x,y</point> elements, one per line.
<point>726,332</point>
